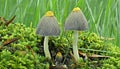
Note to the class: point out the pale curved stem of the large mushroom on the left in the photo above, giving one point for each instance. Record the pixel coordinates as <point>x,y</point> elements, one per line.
<point>46,48</point>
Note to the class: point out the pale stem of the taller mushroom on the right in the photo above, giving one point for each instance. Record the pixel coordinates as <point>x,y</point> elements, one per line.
<point>75,47</point>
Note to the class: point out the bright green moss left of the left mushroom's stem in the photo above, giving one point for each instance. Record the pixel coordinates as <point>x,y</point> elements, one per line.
<point>16,55</point>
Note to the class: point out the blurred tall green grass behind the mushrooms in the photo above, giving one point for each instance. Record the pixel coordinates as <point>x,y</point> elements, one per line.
<point>103,15</point>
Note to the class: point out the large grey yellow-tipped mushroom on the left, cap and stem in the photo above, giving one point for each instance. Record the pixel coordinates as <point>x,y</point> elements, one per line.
<point>48,26</point>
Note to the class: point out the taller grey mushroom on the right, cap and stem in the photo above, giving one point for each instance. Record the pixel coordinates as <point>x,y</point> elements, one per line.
<point>76,21</point>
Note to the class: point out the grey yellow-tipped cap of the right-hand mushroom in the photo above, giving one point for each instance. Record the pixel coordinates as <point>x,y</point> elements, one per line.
<point>76,20</point>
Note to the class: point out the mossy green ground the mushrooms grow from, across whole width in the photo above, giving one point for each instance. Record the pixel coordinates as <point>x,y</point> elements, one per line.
<point>27,51</point>
